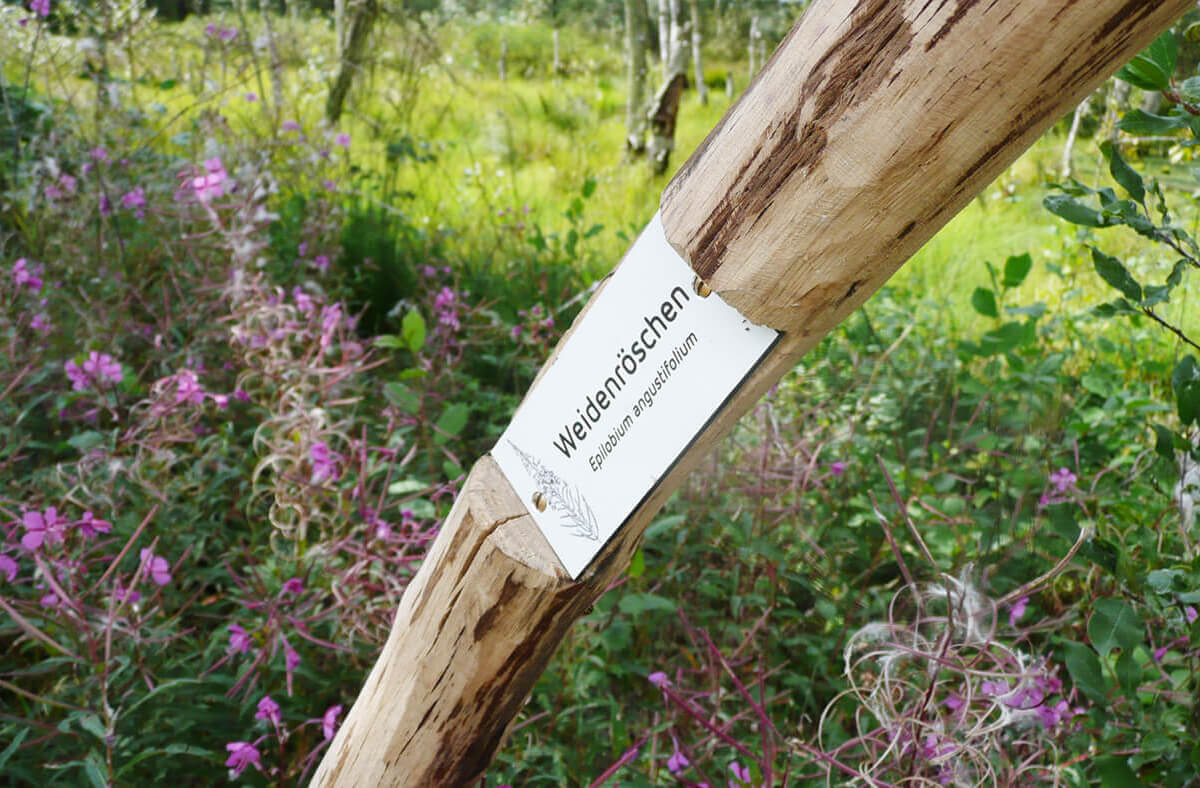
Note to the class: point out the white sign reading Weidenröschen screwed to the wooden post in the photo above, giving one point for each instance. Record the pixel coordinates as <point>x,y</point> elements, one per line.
<point>646,369</point>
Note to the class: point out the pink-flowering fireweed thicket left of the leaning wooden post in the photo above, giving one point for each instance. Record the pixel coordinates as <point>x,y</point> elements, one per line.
<point>209,508</point>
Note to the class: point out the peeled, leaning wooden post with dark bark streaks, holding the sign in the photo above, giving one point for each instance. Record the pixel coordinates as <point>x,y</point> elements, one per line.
<point>872,127</point>
